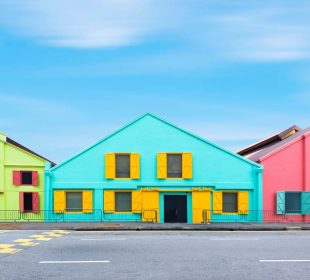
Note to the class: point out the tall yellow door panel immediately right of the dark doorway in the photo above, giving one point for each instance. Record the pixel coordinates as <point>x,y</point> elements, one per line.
<point>200,202</point>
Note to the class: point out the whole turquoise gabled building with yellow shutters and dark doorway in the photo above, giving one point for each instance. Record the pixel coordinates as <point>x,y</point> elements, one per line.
<point>153,171</point>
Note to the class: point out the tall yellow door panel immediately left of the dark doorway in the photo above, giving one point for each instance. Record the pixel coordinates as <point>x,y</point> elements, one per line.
<point>150,206</point>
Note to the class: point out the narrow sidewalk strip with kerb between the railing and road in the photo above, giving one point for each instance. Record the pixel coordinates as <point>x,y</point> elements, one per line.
<point>154,226</point>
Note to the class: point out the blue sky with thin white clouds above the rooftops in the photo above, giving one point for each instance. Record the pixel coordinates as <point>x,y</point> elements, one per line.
<point>73,71</point>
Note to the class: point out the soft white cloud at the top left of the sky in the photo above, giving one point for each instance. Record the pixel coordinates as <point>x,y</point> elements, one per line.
<point>81,24</point>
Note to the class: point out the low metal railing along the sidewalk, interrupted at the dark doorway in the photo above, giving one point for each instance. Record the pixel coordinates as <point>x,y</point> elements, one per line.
<point>97,215</point>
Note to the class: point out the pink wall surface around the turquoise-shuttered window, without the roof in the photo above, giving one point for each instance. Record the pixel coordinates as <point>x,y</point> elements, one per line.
<point>286,170</point>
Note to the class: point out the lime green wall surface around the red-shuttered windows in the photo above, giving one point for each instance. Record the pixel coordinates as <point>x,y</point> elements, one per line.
<point>13,158</point>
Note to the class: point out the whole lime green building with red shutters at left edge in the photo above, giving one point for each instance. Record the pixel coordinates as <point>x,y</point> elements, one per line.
<point>21,181</point>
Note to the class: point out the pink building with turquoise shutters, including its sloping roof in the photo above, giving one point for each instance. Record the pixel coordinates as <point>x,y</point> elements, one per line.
<point>286,179</point>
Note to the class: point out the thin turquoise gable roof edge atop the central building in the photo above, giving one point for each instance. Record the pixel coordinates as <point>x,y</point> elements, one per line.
<point>167,123</point>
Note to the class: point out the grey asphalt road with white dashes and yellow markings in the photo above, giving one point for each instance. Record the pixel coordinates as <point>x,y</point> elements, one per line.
<point>154,255</point>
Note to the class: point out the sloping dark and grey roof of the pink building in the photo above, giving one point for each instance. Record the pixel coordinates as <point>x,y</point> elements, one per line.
<point>268,146</point>
